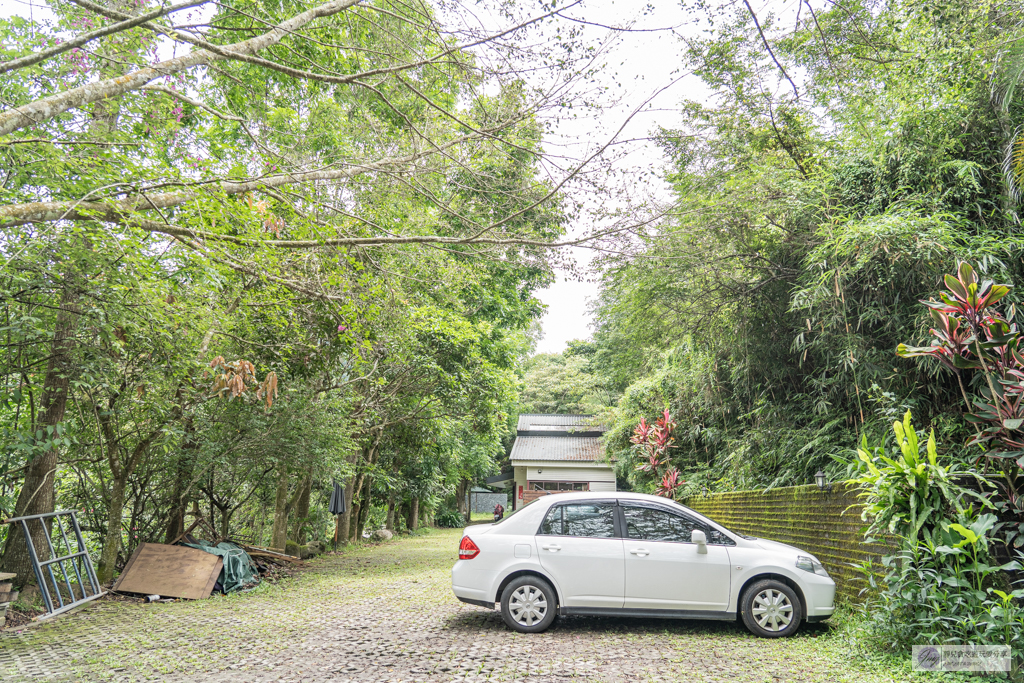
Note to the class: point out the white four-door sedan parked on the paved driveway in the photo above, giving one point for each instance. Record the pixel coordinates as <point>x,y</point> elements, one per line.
<point>635,556</point>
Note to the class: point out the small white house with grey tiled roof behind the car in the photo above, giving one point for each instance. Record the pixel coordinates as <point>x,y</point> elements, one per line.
<point>554,453</point>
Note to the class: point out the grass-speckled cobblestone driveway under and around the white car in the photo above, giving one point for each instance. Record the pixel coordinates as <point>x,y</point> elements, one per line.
<point>388,614</point>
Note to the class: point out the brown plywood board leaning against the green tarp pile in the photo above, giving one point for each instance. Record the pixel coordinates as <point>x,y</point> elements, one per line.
<point>172,572</point>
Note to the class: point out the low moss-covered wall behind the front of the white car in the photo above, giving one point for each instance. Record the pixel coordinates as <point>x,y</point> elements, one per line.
<point>828,525</point>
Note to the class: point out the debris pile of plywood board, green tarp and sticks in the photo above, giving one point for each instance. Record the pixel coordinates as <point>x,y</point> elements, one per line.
<point>193,569</point>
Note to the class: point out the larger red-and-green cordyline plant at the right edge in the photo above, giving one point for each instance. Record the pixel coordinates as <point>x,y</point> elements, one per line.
<point>971,335</point>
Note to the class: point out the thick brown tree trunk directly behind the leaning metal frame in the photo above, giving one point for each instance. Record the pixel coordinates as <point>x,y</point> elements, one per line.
<point>37,491</point>
